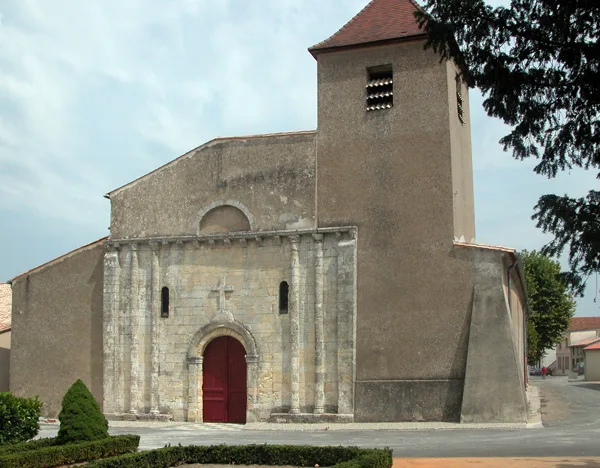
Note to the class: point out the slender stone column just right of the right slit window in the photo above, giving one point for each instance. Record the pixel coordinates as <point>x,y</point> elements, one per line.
<point>294,311</point>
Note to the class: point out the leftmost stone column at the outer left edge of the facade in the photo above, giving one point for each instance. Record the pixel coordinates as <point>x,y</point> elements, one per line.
<point>112,403</point>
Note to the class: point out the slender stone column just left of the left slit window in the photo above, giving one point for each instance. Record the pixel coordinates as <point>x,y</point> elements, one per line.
<point>154,324</point>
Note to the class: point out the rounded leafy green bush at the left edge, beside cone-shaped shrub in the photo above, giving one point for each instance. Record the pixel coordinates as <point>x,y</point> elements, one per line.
<point>18,418</point>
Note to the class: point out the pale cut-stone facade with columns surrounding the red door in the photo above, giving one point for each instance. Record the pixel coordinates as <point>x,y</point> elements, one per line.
<point>295,369</point>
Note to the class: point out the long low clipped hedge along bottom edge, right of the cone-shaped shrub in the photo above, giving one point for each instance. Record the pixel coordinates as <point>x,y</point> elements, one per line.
<point>346,457</point>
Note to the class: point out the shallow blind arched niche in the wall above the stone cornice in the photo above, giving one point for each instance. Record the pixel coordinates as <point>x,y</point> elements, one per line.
<point>226,216</point>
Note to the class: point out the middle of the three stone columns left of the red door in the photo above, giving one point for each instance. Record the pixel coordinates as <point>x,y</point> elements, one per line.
<point>134,310</point>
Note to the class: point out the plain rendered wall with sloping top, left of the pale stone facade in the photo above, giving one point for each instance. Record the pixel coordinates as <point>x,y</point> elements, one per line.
<point>57,328</point>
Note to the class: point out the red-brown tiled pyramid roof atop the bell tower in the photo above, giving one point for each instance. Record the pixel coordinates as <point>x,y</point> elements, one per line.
<point>380,20</point>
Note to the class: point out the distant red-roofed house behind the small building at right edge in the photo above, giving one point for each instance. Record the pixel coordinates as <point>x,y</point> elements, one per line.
<point>581,330</point>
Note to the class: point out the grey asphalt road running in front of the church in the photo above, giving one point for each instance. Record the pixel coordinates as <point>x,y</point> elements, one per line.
<point>570,416</point>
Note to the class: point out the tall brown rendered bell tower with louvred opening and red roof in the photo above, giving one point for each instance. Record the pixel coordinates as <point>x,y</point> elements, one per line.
<point>394,159</point>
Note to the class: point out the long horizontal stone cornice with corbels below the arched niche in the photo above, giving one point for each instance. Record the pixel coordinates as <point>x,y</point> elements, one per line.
<point>227,237</point>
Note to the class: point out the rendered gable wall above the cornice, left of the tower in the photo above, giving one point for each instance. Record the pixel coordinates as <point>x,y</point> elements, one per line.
<point>273,176</point>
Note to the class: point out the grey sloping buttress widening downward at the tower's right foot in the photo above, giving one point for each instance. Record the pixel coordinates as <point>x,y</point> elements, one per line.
<point>494,389</point>
